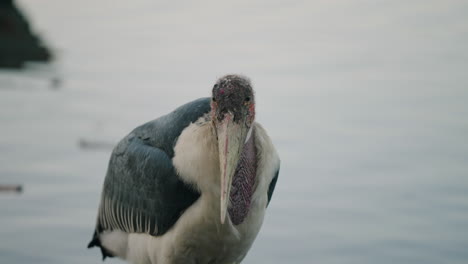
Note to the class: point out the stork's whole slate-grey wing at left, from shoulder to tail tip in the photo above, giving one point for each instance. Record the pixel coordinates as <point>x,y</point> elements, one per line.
<point>142,192</point>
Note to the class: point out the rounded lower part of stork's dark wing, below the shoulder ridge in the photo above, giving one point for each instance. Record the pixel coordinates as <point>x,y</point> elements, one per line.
<point>142,192</point>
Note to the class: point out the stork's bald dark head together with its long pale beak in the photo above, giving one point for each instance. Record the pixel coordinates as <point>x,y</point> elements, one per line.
<point>233,113</point>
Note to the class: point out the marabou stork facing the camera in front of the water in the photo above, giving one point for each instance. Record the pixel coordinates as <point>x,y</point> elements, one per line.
<point>191,186</point>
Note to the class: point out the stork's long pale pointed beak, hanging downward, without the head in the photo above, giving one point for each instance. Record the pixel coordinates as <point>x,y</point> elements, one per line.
<point>231,138</point>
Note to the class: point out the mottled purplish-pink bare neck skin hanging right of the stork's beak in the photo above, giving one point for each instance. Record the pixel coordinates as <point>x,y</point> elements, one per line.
<point>243,182</point>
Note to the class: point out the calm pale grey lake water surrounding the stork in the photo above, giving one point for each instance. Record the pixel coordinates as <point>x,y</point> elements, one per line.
<point>366,101</point>
